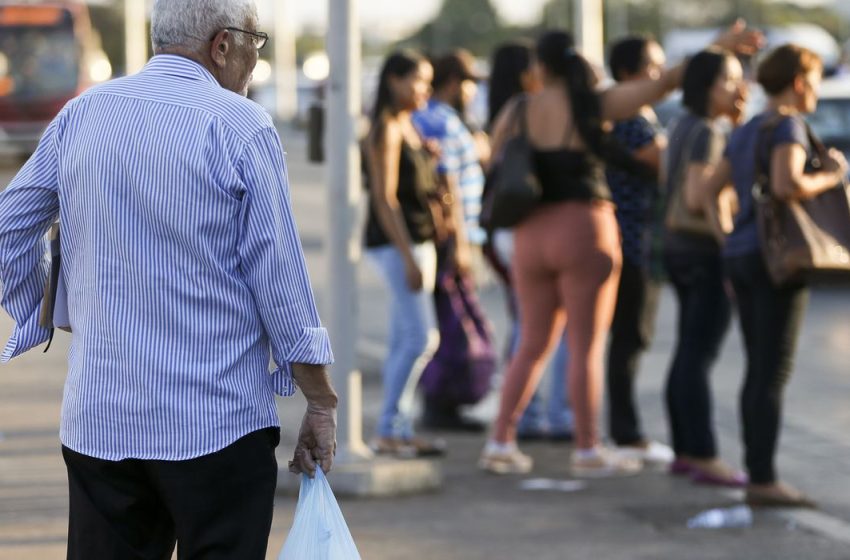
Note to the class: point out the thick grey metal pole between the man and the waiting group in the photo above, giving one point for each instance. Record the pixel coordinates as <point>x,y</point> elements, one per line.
<point>343,247</point>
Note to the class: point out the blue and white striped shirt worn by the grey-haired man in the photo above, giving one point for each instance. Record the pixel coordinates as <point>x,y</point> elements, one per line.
<point>182,262</point>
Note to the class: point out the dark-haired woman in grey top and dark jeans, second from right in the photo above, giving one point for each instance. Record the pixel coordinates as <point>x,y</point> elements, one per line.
<point>713,87</point>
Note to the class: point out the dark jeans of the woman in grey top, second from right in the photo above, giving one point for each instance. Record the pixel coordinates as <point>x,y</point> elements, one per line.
<point>704,316</point>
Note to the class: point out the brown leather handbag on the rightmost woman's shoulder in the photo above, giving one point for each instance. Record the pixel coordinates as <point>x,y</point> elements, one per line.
<point>802,240</point>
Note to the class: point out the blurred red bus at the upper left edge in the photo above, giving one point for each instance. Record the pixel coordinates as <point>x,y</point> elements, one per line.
<point>45,60</point>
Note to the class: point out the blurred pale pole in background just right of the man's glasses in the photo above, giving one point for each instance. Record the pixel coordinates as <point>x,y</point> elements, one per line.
<point>285,71</point>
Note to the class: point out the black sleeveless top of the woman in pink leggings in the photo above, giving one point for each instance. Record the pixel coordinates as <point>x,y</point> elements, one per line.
<point>570,175</point>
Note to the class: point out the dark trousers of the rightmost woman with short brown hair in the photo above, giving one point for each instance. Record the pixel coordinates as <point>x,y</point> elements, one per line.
<point>771,318</point>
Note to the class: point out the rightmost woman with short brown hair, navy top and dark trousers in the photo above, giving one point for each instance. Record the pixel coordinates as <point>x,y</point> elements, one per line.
<point>771,315</point>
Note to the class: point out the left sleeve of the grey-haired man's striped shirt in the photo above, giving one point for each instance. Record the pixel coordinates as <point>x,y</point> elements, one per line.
<point>27,208</point>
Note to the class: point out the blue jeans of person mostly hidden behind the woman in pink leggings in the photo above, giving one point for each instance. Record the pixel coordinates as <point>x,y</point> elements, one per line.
<point>557,415</point>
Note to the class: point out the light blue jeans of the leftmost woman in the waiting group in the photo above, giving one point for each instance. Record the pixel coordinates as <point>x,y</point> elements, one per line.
<point>412,334</point>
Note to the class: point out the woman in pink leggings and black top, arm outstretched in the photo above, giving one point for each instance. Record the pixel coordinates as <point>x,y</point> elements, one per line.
<point>568,251</point>
